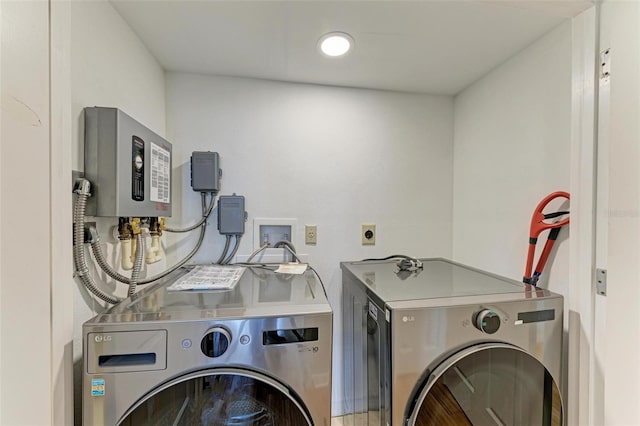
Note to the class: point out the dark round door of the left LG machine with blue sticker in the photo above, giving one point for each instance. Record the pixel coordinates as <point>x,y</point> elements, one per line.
<point>220,397</point>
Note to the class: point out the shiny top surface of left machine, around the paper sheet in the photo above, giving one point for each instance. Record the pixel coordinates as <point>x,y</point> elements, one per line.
<point>259,293</point>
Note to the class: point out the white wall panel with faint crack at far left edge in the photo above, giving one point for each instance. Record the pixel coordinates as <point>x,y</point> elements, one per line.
<point>25,209</point>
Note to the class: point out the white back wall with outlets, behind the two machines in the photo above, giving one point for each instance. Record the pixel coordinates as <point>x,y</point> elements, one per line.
<point>333,157</point>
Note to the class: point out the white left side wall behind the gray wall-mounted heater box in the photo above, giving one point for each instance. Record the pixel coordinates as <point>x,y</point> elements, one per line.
<point>109,67</point>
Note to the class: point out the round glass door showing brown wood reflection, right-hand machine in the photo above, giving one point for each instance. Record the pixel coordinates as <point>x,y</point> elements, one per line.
<point>488,384</point>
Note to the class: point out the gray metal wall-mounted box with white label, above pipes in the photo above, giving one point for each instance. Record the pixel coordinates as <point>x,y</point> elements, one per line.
<point>128,165</point>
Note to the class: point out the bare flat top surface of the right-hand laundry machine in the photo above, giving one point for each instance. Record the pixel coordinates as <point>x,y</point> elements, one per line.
<point>439,279</point>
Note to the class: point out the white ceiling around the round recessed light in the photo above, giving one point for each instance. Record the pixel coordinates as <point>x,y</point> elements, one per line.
<point>437,47</point>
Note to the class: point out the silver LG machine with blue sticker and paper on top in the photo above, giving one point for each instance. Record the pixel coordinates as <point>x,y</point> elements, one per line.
<point>259,354</point>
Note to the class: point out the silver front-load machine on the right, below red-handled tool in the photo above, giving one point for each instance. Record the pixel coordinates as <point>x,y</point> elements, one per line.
<point>448,345</point>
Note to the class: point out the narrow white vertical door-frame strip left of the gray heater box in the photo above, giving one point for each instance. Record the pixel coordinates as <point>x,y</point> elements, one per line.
<point>62,290</point>
